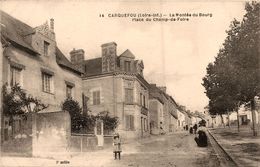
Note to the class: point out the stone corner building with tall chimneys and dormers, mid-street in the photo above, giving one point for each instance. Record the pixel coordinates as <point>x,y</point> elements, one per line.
<point>115,84</point>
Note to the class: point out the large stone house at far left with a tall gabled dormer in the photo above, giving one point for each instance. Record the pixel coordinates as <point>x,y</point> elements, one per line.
<point>32,59</point>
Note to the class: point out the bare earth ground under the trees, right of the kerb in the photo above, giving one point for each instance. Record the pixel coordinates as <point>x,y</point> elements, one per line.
<point>243,147</point>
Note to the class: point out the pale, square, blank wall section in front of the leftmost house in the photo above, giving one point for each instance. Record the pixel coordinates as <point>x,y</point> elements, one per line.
<point>52,133</point>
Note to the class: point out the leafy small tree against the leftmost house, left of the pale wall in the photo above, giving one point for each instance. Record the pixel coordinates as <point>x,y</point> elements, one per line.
<point>16,102</point>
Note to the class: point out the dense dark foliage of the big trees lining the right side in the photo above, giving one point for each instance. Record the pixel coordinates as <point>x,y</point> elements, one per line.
<point>233,78</point>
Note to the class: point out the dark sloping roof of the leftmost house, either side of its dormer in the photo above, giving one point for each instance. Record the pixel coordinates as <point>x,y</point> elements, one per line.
<point>14,31</point>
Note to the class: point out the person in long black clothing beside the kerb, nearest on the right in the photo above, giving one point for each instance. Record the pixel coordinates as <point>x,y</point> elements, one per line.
<point>202,139</point>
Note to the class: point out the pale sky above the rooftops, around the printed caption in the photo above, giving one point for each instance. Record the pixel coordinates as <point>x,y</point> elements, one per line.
<point>175,54</point>
